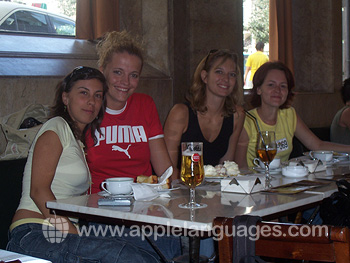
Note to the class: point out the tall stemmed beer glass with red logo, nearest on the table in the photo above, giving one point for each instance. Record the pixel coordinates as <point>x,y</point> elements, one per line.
<point>192,171</point>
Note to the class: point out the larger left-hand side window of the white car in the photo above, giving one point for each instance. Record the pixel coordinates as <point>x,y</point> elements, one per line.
<point>26,21</point>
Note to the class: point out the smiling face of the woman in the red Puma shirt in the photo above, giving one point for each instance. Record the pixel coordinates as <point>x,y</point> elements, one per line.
<point>122,74</point>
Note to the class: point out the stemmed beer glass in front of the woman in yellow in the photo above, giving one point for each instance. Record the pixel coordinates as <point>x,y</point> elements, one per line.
<point>267,149</point>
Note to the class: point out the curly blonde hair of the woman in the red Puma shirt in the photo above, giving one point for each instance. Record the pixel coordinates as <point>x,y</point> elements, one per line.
<point>117,42</point>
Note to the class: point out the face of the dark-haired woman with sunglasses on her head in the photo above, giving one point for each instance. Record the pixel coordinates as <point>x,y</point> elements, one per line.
<point>84,101</point>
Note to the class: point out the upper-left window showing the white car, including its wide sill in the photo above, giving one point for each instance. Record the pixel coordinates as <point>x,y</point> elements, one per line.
<point>37,42</point>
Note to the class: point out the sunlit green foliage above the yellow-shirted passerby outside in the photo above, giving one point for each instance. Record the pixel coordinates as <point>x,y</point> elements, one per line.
<point>259,23</point>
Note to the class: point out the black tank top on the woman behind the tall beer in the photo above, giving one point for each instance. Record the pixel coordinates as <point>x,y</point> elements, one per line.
<point>212,151</point>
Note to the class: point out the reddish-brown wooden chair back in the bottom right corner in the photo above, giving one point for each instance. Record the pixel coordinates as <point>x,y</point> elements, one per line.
<point>289,241</point>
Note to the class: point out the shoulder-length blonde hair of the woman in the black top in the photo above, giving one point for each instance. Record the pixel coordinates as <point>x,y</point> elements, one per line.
<point>197,92</point>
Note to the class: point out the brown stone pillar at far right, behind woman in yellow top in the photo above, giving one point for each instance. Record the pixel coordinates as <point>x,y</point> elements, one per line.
<point>317,34</point>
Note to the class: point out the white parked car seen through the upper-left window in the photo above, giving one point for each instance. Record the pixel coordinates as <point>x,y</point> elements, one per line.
<point>21,18</point>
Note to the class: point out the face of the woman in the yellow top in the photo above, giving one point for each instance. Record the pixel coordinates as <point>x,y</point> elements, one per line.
<point>274,90</point>
